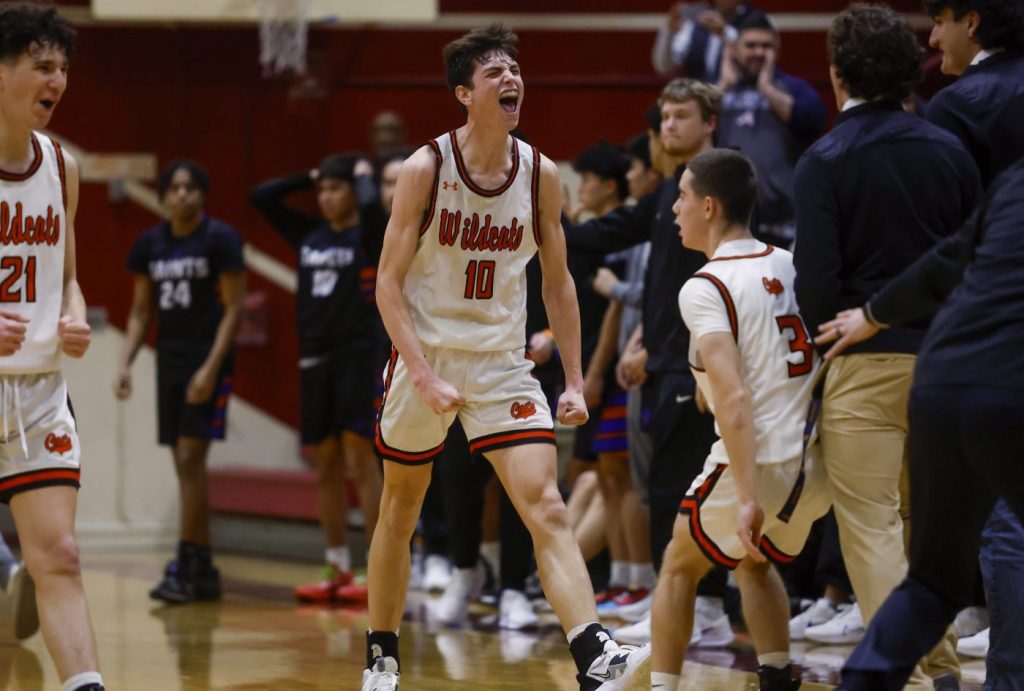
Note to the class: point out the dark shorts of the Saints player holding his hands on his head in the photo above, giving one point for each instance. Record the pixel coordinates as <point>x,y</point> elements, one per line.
<point>337,394</point>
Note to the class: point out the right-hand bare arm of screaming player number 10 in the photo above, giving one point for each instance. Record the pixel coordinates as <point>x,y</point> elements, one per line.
<point>560,295</point>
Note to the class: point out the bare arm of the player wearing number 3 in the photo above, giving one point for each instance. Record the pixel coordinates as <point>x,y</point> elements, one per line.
<point>735,415</point>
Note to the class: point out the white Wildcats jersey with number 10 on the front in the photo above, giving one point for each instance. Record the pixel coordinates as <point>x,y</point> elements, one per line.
<point>466,288</point>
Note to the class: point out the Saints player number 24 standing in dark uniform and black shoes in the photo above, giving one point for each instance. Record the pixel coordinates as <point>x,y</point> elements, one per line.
<point>189,274</point>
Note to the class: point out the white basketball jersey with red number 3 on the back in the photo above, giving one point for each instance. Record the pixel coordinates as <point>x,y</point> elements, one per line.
<point>747,290</point>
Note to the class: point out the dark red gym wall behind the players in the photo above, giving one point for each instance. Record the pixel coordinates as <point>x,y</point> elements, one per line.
<point>198,93</point>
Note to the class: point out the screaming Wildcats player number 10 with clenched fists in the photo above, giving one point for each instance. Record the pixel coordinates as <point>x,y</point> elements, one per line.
<point>471,210</point>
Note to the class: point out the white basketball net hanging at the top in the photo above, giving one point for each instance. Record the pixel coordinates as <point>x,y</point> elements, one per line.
<point>283,33</point>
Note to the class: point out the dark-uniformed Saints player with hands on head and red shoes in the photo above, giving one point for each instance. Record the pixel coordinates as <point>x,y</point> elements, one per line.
<point>339,351</point>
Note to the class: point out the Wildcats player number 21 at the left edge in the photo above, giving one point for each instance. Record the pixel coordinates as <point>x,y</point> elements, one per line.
<point>44,315</point>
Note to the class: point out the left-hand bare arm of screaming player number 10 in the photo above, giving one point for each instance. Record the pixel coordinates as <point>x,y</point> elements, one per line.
<point>412,199</point>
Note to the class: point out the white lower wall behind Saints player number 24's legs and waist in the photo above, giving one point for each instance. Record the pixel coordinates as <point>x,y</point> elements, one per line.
<point>130,491</point>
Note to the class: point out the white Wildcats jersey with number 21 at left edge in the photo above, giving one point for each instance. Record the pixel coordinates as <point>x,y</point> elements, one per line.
<point>33,227</point>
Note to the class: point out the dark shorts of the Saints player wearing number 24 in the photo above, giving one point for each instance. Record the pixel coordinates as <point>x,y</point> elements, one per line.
<point>177,418</point>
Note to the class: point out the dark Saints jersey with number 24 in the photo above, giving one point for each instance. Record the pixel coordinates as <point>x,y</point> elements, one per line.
<point>186,273</point>
